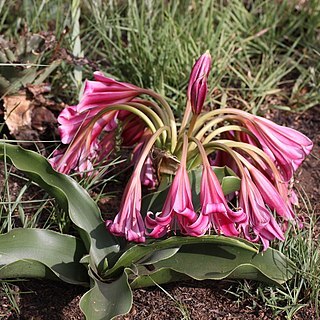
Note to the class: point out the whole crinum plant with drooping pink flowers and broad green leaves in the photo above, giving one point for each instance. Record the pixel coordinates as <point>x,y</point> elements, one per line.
<point>199,198</point>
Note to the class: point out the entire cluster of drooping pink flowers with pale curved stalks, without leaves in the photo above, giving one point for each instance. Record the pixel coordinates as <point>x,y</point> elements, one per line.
<point>261,153</point>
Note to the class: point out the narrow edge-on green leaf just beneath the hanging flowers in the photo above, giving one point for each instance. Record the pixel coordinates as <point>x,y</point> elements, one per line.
<point>136,253</point>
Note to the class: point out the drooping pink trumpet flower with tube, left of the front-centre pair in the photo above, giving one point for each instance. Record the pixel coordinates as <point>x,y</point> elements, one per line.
<point>178,207</point>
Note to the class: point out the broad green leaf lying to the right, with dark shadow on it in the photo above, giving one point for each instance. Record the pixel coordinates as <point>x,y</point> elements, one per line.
<point>214,261</point>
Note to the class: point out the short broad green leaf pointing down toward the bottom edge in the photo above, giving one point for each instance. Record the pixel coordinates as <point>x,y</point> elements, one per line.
<point>107,300</point>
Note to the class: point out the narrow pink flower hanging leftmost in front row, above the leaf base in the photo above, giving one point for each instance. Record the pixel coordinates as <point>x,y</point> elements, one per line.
<point>128,222</point>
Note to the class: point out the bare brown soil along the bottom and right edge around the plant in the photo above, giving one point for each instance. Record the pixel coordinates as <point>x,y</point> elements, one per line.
<point>202,300</point>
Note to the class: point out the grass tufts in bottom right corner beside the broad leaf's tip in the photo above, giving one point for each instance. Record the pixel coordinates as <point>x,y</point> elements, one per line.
<point>303,290</point>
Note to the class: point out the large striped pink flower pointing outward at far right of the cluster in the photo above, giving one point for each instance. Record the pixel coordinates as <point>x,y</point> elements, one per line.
<point>285,146</point>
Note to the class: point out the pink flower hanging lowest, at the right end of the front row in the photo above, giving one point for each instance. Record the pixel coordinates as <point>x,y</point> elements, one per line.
<point>260,223</point>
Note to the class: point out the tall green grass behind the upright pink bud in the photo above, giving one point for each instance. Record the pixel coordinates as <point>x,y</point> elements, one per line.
<point>259,48</point>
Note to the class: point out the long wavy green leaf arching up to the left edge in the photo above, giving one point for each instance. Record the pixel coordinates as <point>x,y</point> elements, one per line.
<point>83,211</point>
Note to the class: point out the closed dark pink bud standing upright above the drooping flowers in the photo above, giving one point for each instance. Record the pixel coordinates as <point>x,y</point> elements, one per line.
<point>197,88</point>
